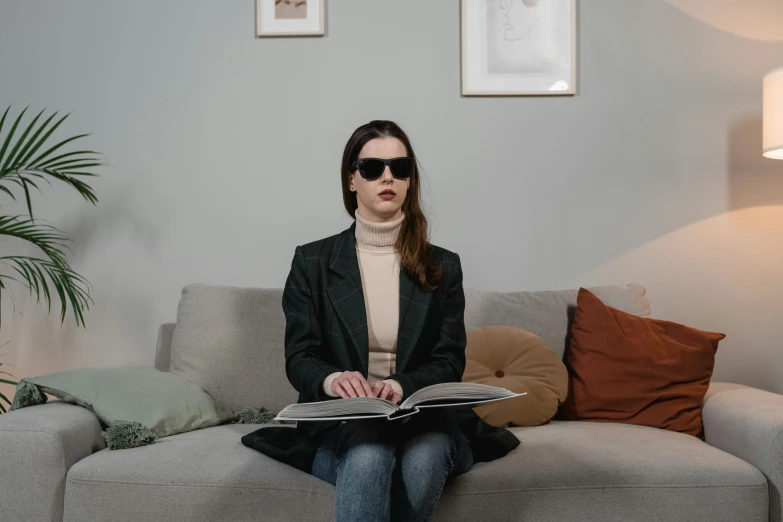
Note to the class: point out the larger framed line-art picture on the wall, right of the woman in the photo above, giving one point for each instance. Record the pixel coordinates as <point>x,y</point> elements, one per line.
<point>518,47</point>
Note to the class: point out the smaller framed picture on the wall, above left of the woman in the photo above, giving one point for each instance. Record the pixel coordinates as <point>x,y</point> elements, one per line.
<point>290,17</point>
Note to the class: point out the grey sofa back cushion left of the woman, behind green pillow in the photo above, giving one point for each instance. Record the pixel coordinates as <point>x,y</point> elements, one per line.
<point>231,342</point>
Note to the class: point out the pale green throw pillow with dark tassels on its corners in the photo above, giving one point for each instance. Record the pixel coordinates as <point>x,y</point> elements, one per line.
<point>135,404</point>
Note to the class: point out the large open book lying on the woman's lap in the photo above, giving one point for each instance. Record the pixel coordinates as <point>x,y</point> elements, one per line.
<point>448,394</point>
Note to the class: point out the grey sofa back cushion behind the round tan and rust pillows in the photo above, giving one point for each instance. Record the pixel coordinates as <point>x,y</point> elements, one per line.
<point>547,314</point>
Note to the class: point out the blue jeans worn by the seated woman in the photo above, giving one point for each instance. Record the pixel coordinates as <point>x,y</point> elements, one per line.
<point>390,470</point>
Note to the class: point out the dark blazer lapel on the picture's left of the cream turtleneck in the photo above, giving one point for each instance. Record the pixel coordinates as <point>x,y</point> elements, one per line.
<point>347,295</point>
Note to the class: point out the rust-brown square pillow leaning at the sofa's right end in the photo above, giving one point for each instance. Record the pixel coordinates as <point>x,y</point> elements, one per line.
<point>633,370</point>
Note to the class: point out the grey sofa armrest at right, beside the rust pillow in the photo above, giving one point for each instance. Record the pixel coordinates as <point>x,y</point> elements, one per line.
<point>748,423</point>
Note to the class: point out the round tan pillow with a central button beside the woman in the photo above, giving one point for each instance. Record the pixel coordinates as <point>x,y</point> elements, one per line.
<point>520,361</point>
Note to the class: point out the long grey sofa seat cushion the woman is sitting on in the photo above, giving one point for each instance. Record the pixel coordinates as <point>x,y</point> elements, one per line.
<point>561,471</point>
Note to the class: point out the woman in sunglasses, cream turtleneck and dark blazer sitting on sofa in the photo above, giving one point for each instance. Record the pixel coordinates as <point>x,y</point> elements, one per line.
<point>378,311</point>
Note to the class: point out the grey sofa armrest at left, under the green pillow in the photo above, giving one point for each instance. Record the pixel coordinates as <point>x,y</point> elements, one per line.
<point>38,445</point>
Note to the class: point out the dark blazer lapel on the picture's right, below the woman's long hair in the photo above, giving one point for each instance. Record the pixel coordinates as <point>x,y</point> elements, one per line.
<point>414,305</point>
